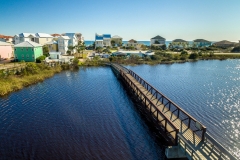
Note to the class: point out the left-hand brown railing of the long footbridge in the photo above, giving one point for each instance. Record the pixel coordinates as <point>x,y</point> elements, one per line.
<point>161,119</point>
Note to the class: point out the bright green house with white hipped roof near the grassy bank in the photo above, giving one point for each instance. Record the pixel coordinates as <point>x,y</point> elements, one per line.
<point>27,51</point>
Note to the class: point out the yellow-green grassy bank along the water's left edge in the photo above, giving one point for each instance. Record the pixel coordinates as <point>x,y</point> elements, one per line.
<point>13,80</point>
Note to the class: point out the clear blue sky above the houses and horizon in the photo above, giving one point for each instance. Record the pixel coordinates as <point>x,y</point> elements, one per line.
<point>212,20</point>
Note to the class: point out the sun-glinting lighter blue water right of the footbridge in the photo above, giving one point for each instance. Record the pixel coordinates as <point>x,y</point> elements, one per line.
<point>208,90</point>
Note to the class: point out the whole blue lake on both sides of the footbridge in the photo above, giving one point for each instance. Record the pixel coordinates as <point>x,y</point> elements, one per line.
<point>87,114</point>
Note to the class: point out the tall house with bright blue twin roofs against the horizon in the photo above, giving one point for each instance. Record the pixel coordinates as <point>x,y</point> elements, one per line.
<point>103,40</point>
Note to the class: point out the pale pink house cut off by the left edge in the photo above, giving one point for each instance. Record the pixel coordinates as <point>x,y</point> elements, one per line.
<point>6,50</point>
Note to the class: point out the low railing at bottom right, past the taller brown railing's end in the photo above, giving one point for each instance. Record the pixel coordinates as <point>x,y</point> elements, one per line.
<point>217,148</point>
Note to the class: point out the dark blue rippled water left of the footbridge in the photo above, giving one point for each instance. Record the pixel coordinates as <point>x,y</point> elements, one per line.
<point>75,115</point>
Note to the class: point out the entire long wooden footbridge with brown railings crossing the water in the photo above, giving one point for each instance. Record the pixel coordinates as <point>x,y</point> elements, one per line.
<point>186,137</point>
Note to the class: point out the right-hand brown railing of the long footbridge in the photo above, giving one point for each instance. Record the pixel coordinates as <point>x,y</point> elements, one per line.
<point>176,112</point>
